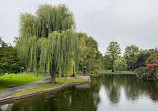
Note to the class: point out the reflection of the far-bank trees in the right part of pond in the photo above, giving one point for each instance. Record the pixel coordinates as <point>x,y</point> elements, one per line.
<point>133,87</point>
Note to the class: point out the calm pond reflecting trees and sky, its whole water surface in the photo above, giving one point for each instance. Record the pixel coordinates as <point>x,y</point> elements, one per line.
<point>105,93</point>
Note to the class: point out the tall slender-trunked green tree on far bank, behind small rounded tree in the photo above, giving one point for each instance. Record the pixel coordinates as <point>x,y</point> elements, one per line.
<point>114,51</point>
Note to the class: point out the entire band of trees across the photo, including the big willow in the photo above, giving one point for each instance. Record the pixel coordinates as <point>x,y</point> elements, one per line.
<point>48,43</point>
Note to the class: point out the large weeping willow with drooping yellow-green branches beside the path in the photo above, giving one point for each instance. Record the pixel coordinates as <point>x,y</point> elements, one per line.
<point>48,42</point>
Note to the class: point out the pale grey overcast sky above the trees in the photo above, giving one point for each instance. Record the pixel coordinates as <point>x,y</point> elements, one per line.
<point>126,21</point>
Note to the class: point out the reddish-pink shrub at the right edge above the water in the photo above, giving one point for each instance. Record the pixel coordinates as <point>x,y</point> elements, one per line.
<point>153,66</point>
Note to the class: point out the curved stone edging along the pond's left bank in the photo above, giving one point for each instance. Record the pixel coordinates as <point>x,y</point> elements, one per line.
<point>59,88</point>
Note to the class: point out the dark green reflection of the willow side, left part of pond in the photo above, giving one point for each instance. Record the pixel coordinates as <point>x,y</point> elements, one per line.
<point>70,99</point>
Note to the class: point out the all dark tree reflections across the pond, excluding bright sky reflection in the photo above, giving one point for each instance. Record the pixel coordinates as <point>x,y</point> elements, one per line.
<point>82,99</point>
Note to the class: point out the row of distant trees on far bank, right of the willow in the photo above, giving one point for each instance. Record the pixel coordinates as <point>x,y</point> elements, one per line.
<point>133,57</point>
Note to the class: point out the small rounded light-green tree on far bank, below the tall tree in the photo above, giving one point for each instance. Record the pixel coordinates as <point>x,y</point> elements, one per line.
<point>120,64</point>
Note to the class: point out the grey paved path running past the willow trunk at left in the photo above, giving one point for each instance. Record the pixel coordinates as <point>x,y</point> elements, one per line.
<point>14,90</point>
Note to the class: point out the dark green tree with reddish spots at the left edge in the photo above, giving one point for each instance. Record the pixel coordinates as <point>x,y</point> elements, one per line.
<point>9,60</point>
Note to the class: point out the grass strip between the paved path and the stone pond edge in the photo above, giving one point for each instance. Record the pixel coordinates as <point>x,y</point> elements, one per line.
<point>47,85</point>
